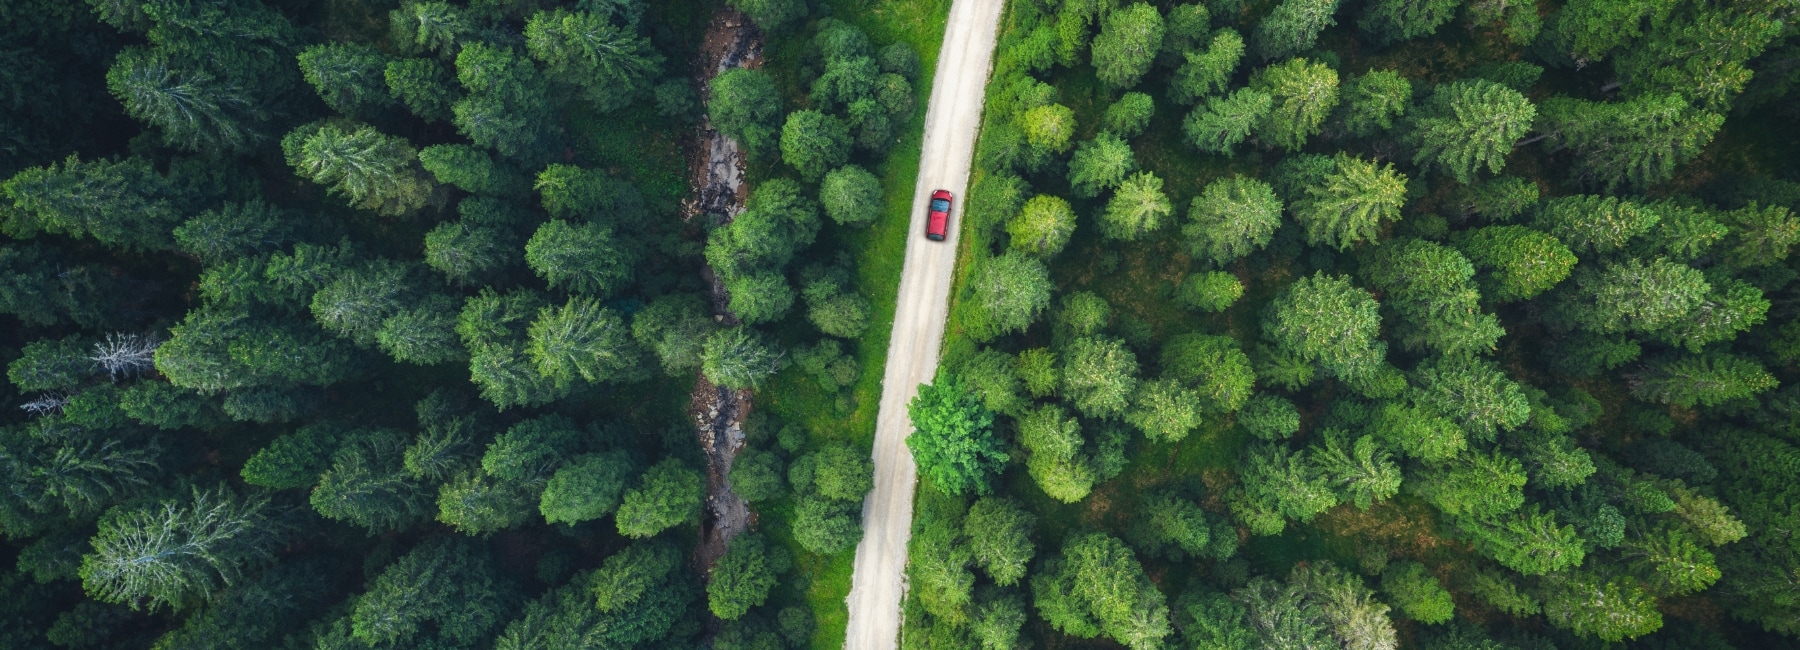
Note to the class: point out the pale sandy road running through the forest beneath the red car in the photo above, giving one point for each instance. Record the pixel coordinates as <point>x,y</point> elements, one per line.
<point>951,123</point>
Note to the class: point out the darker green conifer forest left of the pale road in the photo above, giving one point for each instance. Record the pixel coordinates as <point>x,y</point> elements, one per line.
<point>346,325</point>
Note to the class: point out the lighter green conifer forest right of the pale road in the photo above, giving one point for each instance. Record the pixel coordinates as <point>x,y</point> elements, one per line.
<point>1372,325</point>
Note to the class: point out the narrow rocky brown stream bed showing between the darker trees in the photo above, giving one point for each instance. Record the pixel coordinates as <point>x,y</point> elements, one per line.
<point>719,195</point>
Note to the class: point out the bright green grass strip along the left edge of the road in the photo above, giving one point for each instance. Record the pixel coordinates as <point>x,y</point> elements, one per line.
<point>879,253</point>
